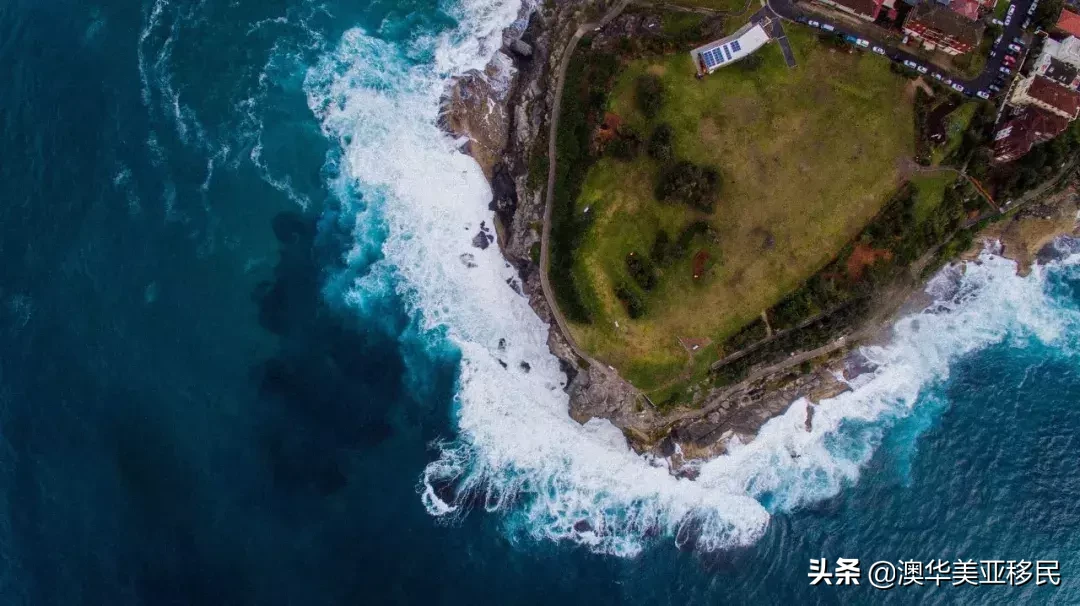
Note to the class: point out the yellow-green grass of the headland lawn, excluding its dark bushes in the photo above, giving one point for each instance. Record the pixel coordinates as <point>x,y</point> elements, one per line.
<point>807,157</point>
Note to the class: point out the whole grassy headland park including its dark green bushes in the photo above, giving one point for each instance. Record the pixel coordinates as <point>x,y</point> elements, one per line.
<point>685,208</point>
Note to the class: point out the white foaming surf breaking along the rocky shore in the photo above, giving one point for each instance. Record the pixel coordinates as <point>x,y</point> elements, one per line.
<point>517,450</point>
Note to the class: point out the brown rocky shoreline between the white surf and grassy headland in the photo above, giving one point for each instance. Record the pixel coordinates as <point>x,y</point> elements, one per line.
<point>502,115</point>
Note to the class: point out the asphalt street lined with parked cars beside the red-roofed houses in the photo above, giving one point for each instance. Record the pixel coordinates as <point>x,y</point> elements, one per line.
<point>788,10</point>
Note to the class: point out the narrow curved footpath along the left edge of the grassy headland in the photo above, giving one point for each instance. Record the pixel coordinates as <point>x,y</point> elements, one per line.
<point>550,193</point>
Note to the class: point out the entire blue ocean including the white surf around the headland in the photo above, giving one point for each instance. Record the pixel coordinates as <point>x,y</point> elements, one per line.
<point>249,356</point>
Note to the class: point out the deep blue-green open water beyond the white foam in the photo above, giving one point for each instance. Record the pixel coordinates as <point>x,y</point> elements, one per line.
<point>192,414</point>
